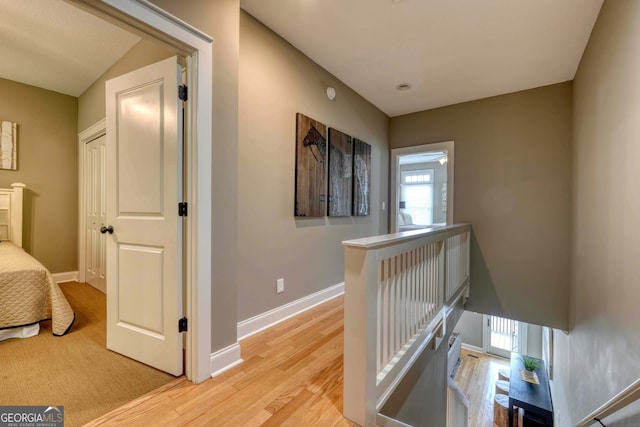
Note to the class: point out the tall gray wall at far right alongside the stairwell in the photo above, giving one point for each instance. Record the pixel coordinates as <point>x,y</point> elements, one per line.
<point>604,339</point>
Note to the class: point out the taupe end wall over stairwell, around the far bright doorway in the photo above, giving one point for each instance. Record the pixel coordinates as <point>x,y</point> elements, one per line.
<point>512,183</point>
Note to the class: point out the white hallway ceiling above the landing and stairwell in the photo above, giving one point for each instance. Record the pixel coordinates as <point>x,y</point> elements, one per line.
<point>450,51</point>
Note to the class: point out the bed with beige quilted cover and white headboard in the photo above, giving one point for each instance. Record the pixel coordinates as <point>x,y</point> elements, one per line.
<point>28,293</point>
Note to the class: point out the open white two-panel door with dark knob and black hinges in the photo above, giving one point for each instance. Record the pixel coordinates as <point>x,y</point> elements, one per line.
<point>144,186</point>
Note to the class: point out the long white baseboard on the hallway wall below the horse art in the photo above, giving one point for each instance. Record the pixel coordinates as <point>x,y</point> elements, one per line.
<point>248,327</point>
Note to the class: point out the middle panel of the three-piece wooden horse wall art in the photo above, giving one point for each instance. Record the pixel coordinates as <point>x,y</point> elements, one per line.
<point>340,173</point>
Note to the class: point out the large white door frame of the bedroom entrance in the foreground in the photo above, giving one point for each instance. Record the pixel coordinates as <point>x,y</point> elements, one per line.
<point>143,16</point>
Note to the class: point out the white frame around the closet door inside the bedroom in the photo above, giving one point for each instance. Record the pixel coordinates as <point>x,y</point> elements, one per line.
<point>92,132</point>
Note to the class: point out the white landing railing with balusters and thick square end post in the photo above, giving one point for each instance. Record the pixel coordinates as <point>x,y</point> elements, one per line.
<point>397,290</point>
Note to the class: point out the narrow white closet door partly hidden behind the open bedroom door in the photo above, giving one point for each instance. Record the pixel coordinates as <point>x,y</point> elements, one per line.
<point>95,199</point>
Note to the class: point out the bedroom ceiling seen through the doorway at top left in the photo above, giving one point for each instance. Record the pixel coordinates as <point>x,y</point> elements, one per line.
<point>56,46</point>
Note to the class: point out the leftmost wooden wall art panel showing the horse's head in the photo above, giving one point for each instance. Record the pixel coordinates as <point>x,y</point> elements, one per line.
<point>311,167</point>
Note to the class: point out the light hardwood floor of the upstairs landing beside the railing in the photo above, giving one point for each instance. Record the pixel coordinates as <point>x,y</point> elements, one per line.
<point>291,375</point>
